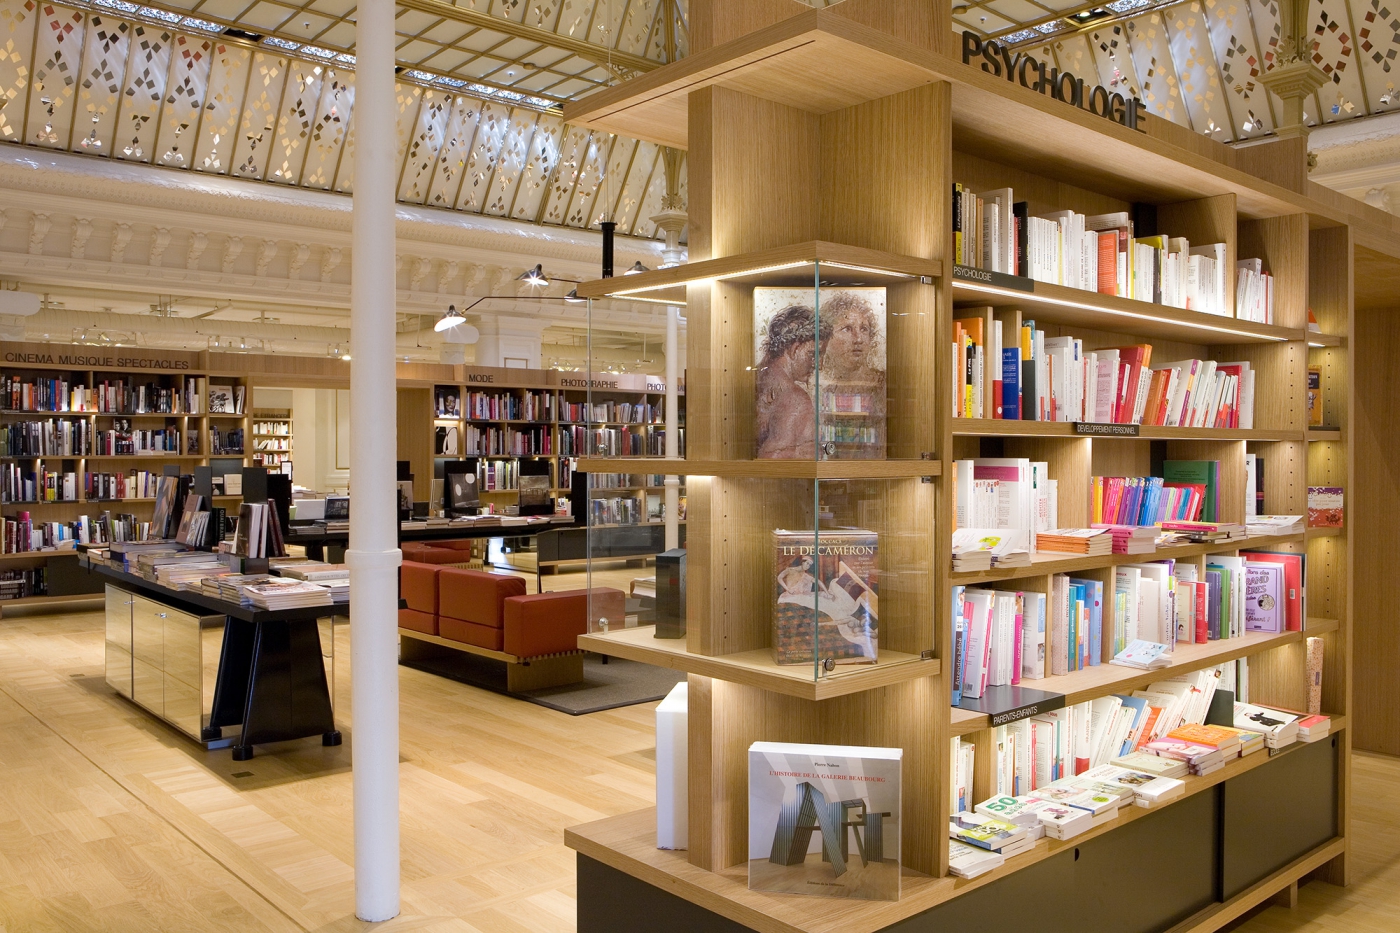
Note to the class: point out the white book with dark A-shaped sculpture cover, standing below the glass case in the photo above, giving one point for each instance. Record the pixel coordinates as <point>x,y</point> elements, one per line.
<point>824,820</point>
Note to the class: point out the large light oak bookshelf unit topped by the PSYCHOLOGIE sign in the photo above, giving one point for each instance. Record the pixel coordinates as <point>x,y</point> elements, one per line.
<point>797,177</point>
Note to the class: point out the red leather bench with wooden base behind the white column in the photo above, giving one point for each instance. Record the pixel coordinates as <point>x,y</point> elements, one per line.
<point>491,614</point>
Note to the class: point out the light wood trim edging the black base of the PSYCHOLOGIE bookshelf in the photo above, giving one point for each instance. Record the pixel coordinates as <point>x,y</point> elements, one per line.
<point>628,843</point>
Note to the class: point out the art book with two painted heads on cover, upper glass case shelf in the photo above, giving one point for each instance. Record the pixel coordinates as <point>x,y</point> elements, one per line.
<point>820,362</point>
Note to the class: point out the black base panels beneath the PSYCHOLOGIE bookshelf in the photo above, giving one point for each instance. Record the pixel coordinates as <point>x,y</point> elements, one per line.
<point>1150,875</point>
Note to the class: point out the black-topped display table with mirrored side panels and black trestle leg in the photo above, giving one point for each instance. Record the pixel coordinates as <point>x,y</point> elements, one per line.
<point>204,665</point>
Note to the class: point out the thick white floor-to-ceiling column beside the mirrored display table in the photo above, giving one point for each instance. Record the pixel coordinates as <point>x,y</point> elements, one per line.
<point>374,554</point>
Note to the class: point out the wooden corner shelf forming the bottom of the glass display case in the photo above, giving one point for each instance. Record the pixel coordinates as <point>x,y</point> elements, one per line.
<point>754,669</point>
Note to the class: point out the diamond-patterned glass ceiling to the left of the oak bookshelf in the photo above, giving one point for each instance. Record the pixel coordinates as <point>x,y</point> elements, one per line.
<point>142,85</point>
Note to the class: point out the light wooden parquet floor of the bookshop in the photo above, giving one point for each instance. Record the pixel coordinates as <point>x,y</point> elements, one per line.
<point>114,823</point>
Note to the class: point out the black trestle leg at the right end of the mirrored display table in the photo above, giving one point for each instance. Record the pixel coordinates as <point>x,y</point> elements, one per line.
<point>288,696</point>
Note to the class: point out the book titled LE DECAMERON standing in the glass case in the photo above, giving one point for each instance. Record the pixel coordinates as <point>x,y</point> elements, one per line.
<point>827,592</point>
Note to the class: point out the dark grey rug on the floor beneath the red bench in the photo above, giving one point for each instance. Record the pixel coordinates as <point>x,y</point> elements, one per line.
<point>618,683</point>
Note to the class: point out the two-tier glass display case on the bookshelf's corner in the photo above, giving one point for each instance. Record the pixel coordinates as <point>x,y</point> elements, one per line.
<point>803,380</point>
